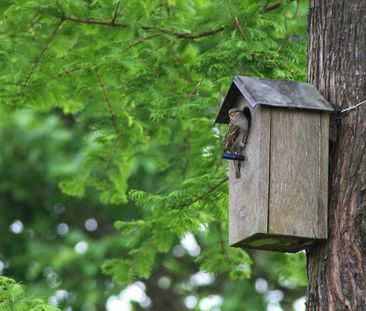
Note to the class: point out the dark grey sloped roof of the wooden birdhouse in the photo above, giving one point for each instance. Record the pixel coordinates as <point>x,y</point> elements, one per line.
<point>275,93</point>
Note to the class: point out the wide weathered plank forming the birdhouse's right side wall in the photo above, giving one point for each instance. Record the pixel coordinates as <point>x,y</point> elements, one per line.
<point>294,173</point>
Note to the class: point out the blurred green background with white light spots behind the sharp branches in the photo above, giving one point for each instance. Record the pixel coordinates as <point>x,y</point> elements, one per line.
<point>56,244</point>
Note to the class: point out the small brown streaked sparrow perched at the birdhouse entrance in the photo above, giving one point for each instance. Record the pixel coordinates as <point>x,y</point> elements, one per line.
<point>237,135</point>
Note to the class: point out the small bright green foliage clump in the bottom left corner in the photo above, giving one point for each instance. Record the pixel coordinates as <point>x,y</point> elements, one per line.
<point>12,297</point>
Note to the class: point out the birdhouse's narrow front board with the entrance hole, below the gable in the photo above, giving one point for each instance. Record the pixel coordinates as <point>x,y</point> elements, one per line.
<point>248,195</point>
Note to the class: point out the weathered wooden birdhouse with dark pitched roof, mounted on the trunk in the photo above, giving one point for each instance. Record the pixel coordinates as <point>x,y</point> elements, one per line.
<point>279,202</point>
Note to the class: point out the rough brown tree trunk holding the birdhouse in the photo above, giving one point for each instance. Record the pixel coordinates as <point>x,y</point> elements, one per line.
<point>337,67</point>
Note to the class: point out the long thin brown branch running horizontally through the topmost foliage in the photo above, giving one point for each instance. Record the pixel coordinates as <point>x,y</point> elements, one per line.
<point>178,35</point>
